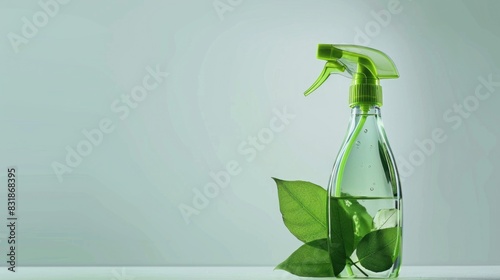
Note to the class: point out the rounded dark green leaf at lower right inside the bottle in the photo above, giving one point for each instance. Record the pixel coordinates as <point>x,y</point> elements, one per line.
<point>378,250</point>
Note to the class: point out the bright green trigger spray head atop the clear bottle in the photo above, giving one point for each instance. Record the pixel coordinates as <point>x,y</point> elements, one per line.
<point>366,66</point>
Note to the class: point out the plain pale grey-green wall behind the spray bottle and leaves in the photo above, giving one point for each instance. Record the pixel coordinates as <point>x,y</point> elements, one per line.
<point>227,75</point>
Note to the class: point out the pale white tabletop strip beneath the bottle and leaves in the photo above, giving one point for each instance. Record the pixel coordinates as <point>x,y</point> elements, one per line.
<point>254,273</point>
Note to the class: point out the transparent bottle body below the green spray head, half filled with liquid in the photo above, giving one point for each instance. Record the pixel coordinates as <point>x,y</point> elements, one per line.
<point>366,183</point>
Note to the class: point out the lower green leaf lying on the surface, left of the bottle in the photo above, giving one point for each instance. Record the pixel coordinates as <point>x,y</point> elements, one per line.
<point>310,260</point>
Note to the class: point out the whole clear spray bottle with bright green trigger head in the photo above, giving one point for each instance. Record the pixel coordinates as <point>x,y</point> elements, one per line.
<point>364,191</point>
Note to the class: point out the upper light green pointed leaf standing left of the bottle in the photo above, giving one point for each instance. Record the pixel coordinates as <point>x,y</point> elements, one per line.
<point>303,206</point>
